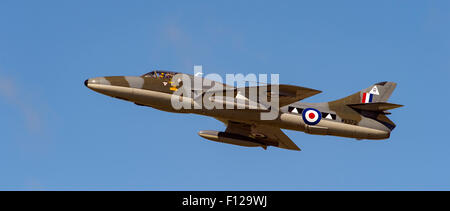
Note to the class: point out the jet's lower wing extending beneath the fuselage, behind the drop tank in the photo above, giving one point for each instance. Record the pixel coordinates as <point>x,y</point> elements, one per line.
<point>268,135</point>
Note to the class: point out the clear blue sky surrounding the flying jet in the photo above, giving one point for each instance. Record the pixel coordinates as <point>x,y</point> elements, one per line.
<point>58,135</point>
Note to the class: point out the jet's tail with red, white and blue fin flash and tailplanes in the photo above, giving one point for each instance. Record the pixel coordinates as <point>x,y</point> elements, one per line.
<point>370,102</point>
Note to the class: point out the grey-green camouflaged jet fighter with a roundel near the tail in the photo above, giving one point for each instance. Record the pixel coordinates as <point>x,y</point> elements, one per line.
<point>362,115</point>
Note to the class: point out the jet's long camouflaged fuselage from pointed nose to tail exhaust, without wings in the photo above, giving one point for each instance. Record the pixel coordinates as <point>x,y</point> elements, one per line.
<point>157,92</point>
